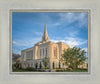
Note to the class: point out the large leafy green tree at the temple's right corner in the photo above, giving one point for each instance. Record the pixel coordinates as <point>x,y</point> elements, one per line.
<point>73,57</point>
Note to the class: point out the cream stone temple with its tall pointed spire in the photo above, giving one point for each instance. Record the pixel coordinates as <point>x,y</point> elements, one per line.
<point>44,49</point>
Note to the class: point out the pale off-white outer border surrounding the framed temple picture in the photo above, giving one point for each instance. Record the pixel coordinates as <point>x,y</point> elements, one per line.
<point>92,78</point>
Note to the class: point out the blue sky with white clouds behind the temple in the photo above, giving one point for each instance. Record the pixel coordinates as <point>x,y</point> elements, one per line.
<point>28,28</point>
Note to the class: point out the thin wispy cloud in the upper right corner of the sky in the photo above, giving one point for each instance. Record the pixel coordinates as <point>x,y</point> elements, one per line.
<point>72,17</point>
